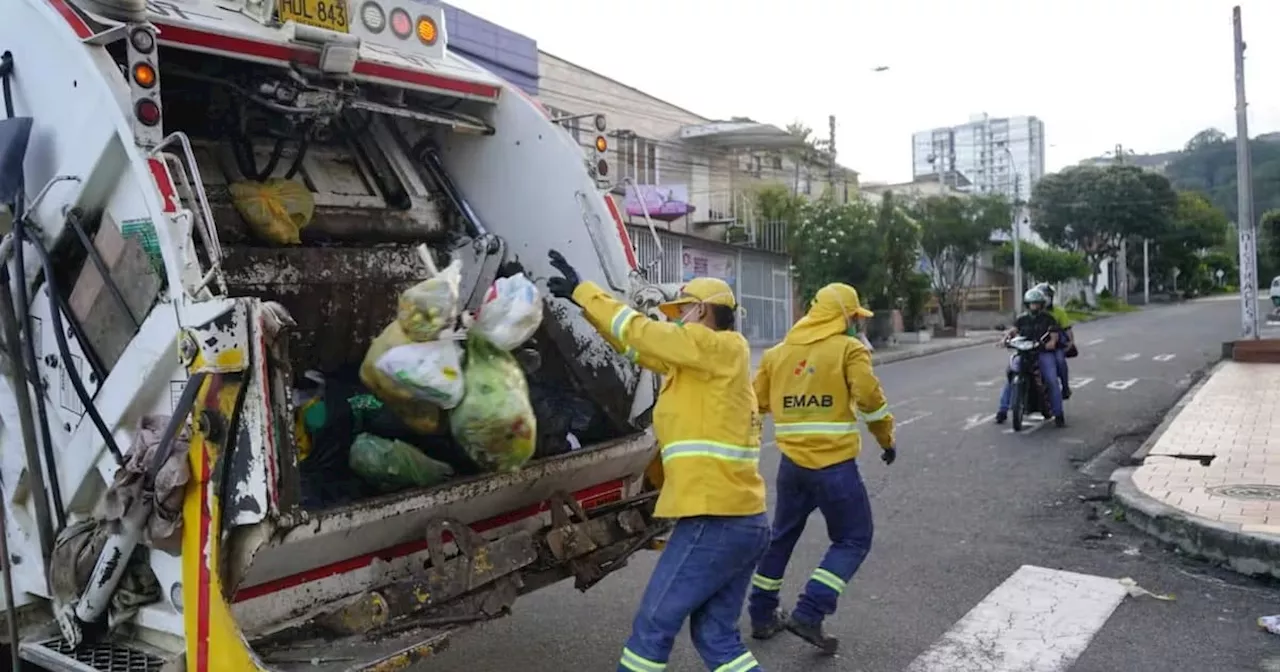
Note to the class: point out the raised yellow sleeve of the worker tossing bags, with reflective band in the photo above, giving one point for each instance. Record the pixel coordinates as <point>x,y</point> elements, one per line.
<point>657,342</point>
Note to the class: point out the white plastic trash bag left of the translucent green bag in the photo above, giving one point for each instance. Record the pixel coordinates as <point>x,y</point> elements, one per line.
<point>429,372</point>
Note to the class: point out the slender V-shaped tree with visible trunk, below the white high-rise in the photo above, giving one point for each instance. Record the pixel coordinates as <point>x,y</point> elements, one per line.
<point>954,231</point>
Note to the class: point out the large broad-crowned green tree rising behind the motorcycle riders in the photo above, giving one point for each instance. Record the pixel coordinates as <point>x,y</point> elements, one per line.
<point>1091,209</point>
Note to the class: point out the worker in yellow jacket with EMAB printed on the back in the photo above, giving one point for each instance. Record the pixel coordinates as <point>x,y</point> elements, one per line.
<point>812,383</point>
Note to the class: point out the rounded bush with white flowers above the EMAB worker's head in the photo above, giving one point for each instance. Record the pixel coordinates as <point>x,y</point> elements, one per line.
<point>836,244</point>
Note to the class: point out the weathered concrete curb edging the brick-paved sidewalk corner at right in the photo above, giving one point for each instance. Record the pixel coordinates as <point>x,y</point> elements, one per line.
<point>1251,555</point>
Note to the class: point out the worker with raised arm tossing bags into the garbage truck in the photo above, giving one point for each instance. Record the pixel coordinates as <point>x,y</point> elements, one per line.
<point>708,433</point>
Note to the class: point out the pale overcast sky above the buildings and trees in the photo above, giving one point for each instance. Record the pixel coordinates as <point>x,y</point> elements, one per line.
<point>1144,74</point>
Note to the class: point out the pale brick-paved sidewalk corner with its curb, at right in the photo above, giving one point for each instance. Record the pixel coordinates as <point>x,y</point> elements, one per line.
<point>1210,479</point>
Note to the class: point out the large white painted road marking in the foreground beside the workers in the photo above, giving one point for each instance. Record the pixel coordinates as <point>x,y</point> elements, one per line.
<point>1037,621</point>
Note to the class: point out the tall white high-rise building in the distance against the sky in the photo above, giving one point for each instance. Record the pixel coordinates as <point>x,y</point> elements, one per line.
<point>981,152</point>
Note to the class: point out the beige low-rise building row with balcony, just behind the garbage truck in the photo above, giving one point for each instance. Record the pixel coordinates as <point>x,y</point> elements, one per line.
<point>685,186</point>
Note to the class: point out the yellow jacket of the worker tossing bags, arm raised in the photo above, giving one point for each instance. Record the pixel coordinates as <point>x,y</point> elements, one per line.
<point>706,422</point>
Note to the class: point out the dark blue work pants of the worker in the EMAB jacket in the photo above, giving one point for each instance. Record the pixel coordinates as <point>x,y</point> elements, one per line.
<point>840,495</point>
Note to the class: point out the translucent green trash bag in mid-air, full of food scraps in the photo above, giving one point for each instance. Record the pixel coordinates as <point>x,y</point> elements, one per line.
<point>496,422</point>
